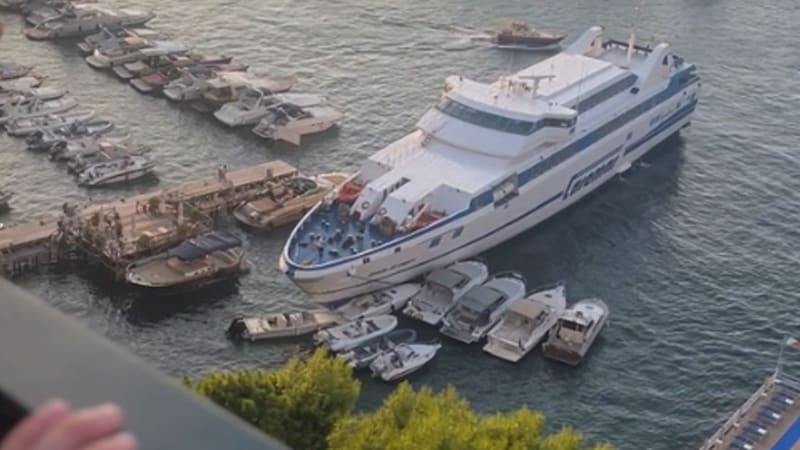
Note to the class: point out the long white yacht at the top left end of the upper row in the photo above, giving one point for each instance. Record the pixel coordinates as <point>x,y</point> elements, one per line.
<point>84,19</point>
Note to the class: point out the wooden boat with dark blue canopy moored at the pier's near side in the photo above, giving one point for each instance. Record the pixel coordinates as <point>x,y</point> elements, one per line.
<point>204,260</point>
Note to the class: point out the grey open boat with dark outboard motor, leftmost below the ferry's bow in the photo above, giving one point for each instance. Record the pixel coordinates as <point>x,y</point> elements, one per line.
<point>273,326</point>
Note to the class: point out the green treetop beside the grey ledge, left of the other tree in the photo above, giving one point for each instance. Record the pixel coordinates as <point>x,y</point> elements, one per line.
<point>297,404</point>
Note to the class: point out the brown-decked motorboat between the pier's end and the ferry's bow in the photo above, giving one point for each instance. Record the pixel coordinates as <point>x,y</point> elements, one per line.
<point>286,200</point>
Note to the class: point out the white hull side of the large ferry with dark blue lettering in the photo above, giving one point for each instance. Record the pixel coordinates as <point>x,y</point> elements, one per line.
<point>482,230</point>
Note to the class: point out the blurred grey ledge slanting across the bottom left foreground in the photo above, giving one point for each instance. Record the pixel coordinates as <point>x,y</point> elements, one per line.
<point>45,354</point>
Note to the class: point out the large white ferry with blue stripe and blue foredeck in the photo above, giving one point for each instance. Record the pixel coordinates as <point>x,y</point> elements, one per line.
<point>490,161</point>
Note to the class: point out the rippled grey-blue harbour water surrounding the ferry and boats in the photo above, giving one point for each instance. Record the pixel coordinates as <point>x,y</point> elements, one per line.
<point>695,250</point>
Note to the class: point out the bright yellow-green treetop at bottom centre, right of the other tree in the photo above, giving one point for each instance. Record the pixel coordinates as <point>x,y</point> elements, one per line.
<point>444,421</point>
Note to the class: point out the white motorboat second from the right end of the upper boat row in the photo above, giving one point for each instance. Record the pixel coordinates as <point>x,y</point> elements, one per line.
<point>253,105</point>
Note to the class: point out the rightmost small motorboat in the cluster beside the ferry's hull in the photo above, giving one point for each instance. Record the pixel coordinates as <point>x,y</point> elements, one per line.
<point>576,331</point>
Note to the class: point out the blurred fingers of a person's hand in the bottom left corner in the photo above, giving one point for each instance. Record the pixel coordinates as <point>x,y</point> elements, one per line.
<point>55,426</point>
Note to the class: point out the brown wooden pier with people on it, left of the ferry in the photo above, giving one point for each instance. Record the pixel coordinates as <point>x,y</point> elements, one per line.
<point>120,232</point>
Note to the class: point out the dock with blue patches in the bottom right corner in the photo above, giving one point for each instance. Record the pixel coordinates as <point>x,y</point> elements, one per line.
<point>768,420</point>
